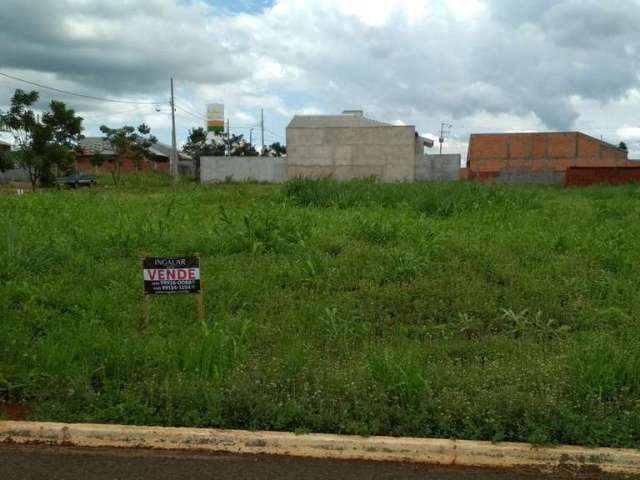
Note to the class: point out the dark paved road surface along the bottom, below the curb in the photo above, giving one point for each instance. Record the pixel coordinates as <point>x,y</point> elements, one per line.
<point>66,463</point>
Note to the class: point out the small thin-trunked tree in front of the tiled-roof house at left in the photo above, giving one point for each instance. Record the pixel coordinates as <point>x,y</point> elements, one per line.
<point>128,142</point>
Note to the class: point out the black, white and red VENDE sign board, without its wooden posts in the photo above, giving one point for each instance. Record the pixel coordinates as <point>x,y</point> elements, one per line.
<point>170,276</point>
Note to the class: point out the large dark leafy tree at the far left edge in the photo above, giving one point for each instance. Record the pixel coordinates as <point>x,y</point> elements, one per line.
<point>45,143</point>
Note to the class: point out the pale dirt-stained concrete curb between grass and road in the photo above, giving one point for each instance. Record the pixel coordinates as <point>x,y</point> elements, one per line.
<point>416,450</point>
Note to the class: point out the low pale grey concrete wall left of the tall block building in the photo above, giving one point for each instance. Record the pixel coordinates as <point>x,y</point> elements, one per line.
<point>243,169</point>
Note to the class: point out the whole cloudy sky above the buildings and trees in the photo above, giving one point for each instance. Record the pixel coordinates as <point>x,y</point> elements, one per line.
<point>480,65</point>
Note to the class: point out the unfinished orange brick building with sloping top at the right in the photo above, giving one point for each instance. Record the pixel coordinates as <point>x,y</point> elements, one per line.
<point>537,157</point>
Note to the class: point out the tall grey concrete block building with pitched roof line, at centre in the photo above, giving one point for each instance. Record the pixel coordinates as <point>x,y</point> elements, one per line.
<point>350,146</point>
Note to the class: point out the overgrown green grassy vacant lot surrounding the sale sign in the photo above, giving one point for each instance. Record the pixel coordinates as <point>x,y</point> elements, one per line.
<point>453,310</point>
